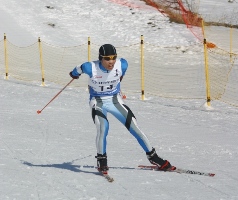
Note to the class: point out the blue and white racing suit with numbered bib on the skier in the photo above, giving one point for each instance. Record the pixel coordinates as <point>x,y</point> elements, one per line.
<point>104,89</point>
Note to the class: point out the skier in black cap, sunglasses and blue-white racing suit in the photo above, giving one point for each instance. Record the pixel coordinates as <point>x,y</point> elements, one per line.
<point>105,76</point>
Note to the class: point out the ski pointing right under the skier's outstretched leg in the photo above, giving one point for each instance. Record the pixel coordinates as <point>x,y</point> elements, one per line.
<point>178,170</point>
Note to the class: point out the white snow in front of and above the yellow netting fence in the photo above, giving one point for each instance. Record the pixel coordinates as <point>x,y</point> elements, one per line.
<point>51,156</point>
